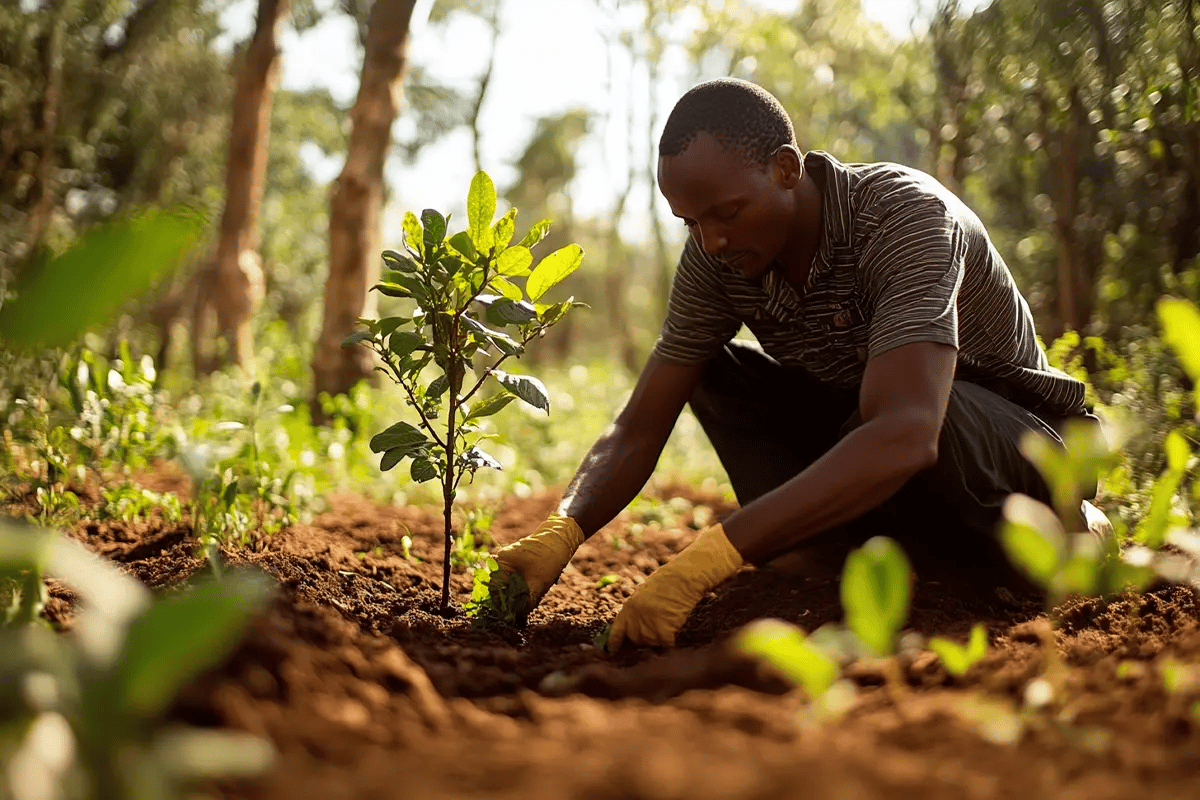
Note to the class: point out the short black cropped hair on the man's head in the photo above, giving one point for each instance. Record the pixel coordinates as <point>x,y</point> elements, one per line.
<point>740,115</point>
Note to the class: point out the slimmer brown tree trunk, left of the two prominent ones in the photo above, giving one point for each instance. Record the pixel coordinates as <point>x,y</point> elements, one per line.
<point>233,281</point>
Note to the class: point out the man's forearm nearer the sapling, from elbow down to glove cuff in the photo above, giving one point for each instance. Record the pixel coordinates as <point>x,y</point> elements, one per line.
<point>610,478</point>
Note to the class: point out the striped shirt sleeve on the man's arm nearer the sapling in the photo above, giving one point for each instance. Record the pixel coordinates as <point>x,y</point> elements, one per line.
<point>700,317</point>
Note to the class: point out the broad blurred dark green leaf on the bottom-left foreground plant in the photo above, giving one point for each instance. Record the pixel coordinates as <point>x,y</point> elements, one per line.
<point>182,636</point>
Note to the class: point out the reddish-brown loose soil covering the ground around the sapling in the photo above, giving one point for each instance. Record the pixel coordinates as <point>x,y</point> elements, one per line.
<point>369,694</point>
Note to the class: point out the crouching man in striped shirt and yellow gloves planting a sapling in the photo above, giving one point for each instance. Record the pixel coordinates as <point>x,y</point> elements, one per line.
<point>897,375</point>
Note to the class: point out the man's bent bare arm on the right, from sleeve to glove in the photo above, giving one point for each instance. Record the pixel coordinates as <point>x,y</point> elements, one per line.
<point>903,402</point>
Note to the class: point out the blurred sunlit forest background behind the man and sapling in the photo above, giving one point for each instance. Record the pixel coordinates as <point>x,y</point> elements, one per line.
<point>1072,128</point>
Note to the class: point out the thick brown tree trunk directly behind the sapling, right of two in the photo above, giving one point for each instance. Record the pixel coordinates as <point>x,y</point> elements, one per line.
<point>356,203</point>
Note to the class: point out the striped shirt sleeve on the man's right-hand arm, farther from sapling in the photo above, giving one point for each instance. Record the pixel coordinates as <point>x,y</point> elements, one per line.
<point>911,273</point>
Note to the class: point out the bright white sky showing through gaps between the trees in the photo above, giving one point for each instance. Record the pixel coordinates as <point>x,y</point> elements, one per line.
<point>553,56</point>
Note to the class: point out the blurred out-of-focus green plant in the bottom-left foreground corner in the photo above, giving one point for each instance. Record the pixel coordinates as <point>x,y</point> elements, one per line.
<point>101,694</point>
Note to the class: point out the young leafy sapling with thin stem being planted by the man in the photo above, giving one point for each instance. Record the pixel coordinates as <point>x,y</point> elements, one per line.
<point>454,341</point>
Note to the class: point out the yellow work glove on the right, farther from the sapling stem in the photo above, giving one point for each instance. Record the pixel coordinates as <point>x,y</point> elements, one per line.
<point>659,607</point>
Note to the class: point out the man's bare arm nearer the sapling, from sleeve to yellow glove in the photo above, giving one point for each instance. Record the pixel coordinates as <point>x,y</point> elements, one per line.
<point>623,459</point>
